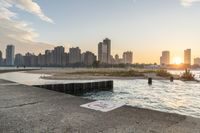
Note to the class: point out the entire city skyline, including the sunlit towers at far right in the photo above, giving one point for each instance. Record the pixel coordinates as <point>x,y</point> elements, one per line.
<point>59,57</point>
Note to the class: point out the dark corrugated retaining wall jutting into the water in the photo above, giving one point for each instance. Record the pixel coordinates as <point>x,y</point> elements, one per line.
<point>79,89</point>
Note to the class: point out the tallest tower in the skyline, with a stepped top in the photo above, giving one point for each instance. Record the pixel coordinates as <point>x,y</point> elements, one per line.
<point>104,51</point>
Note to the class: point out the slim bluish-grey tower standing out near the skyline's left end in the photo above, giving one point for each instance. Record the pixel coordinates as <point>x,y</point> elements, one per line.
<point>10,53</point>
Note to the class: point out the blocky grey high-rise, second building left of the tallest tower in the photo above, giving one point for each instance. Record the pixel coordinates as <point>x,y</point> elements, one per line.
<point>74,55</point>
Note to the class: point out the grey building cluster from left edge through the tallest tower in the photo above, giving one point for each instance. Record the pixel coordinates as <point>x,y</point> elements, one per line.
<point>58,57</point>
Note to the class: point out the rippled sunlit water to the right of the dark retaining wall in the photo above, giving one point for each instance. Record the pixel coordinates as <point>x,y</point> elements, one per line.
<point>176,97</point>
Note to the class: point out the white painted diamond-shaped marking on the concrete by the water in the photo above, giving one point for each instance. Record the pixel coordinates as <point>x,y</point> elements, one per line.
<point>103,106</point>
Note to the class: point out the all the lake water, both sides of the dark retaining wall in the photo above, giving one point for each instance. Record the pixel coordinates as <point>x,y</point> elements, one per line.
<point>175,97</point>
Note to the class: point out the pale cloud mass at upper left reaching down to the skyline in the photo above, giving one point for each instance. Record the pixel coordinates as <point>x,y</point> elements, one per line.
<point>17,31</point>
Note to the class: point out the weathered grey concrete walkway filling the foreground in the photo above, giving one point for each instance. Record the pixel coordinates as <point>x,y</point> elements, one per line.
<point>34,110</point>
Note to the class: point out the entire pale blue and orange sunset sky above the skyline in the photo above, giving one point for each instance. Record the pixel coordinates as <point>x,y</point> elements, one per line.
<point>146,27</point>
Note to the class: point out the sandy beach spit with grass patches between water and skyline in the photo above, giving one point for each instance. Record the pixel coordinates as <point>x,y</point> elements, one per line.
<point>95,74</point>
